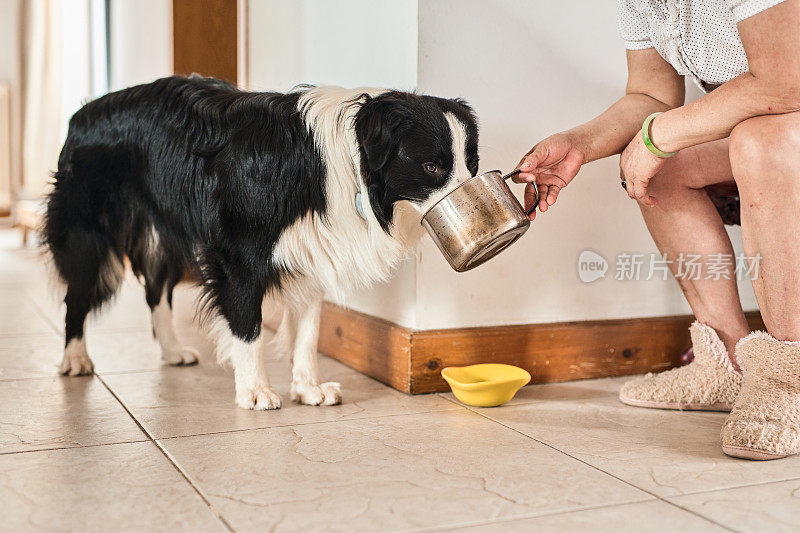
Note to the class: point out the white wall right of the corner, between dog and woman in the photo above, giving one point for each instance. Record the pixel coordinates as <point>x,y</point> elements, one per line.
<point>531,69</point>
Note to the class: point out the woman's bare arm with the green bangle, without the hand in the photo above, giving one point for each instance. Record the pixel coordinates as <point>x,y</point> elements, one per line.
<point>772,86</point>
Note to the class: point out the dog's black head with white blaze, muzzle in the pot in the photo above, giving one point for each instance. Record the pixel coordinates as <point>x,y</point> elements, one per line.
<point>415,148</point>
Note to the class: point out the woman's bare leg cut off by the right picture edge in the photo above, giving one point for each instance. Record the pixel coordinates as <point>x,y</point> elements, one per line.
<point>765,156</point>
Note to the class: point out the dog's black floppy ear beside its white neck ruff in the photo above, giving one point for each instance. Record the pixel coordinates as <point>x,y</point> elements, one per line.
<point>379,124</point>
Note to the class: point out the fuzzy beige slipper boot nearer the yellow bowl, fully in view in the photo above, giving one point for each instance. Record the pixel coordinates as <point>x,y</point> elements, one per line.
<point>709,383</point>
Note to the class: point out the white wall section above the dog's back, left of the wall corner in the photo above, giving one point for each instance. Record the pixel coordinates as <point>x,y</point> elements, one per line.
<point>347,42</point>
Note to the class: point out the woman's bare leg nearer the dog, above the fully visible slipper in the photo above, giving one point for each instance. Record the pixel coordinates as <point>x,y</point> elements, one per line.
<point>685,221</point>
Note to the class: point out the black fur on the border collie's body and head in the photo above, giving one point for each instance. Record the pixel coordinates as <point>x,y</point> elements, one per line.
<point>193,174</point>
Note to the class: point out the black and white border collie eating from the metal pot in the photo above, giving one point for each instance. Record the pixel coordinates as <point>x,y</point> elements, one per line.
<point>290,196</point>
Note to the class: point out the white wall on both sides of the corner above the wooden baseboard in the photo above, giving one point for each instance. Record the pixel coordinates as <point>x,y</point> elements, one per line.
<point>529,68</point>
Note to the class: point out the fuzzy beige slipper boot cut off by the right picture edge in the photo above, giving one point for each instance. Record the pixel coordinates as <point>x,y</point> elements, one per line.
<point>765,420</point>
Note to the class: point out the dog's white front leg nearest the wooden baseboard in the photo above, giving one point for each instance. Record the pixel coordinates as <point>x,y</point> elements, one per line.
<point>306,383</point>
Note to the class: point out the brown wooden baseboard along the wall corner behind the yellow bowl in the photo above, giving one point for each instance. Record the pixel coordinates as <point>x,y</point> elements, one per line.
<point>411,361</point>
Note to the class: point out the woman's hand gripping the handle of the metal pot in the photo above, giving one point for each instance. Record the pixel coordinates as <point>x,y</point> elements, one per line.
<point>550,165</point>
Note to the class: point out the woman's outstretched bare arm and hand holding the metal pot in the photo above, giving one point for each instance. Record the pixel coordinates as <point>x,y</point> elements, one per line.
<point>653,85</point>
